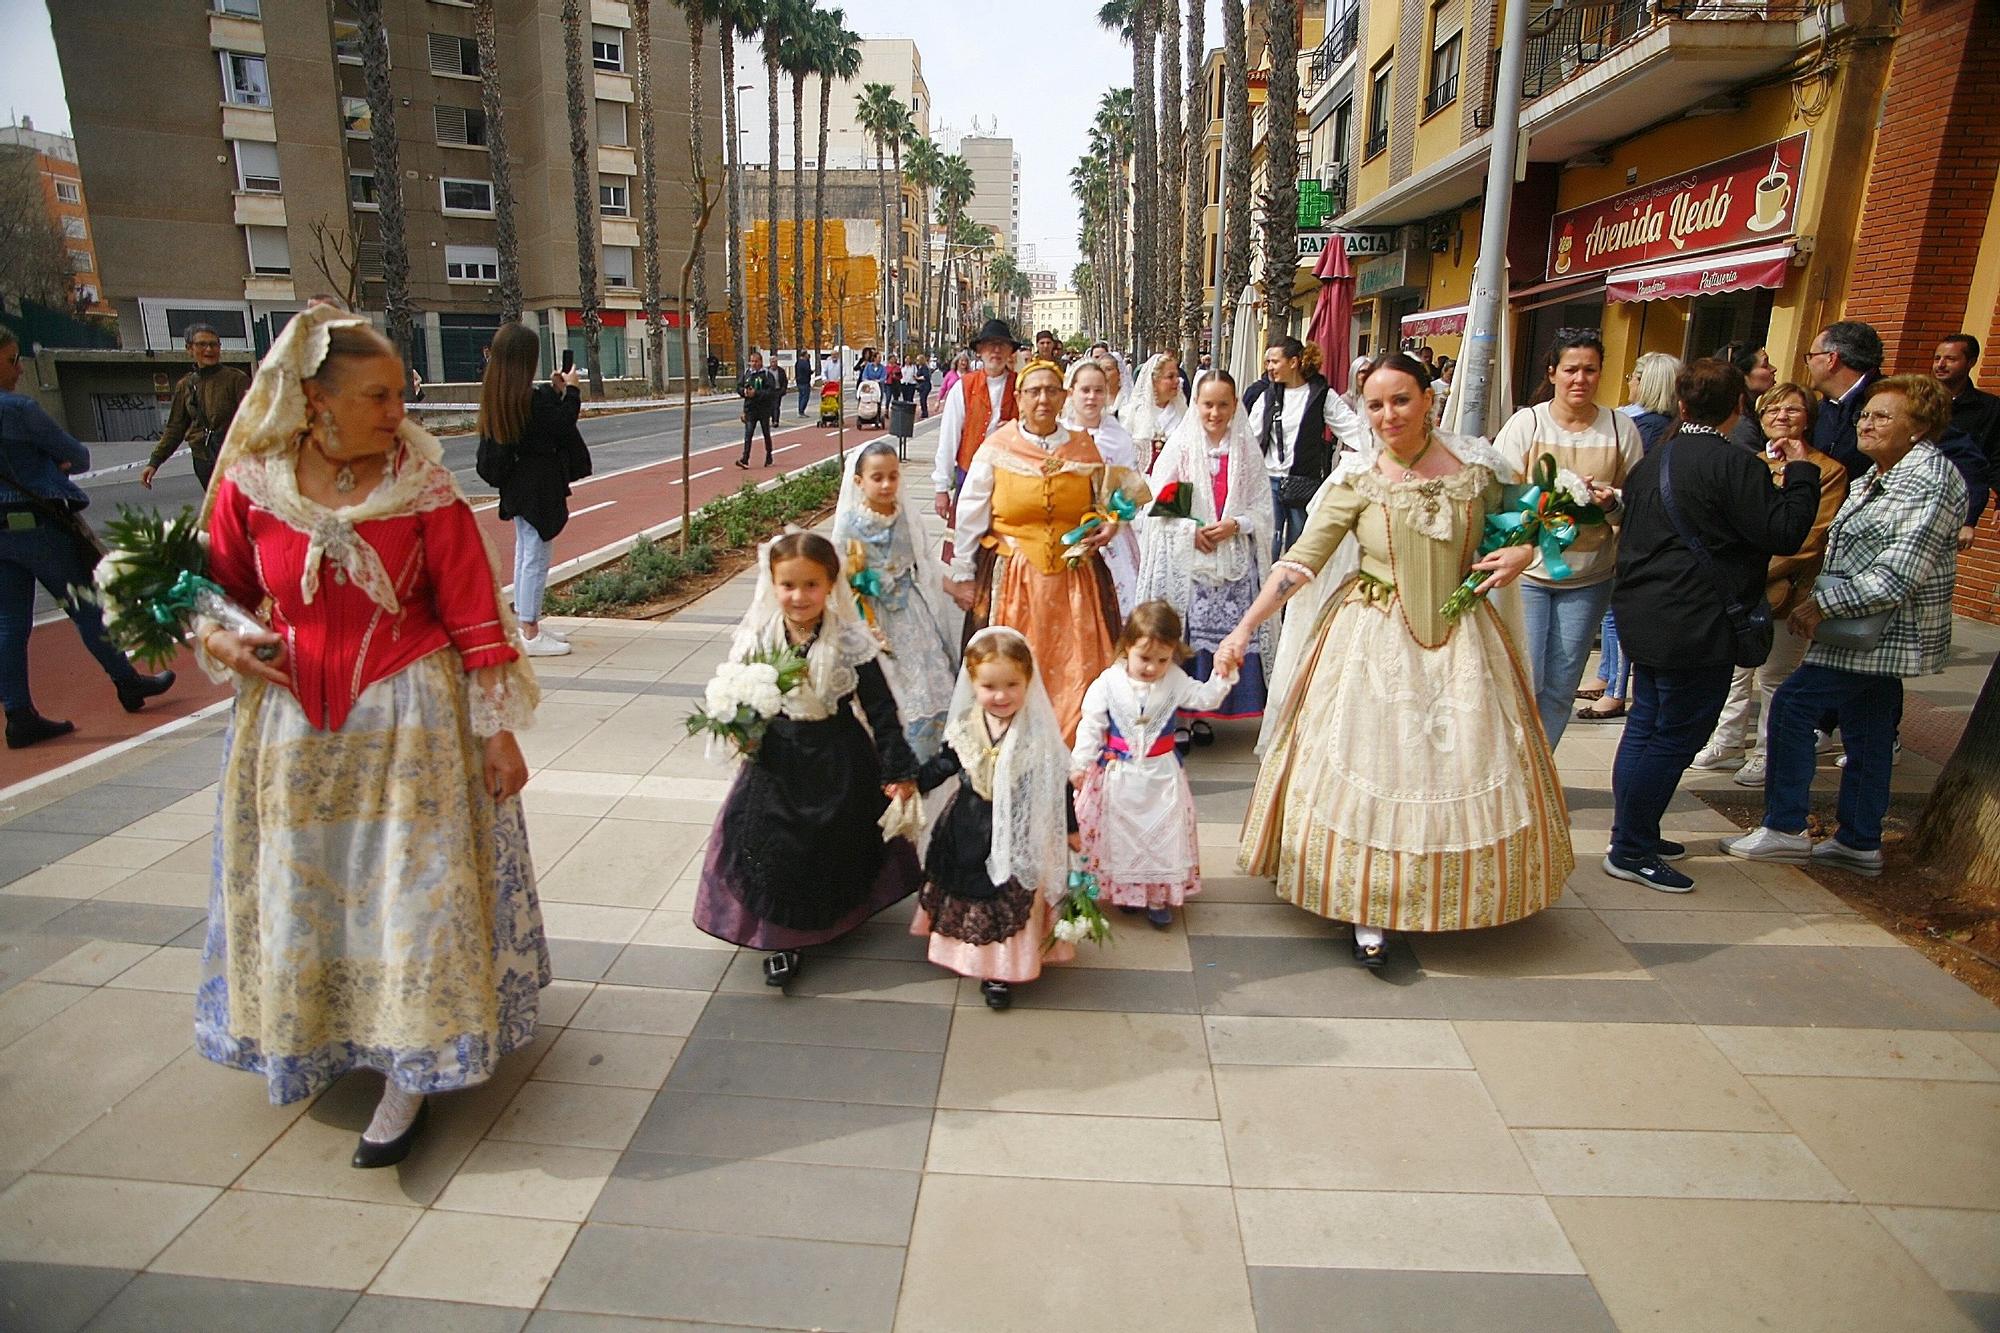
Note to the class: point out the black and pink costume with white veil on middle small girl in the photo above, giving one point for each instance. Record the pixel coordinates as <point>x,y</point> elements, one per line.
<point>999,852</point>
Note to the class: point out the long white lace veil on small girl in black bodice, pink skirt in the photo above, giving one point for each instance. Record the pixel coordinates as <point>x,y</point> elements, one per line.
<point>1031,830</point>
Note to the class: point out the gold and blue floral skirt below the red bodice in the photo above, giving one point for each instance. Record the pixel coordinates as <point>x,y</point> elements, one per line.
<point>371,906</point>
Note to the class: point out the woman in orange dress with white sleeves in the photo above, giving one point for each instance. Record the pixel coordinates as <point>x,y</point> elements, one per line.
<point>1029,485</point>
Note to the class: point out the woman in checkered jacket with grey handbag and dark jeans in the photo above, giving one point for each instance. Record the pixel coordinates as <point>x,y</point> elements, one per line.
<point>1879,611</point>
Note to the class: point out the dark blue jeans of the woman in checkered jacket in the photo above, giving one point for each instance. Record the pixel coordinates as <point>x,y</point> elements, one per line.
<point>1867,712</point>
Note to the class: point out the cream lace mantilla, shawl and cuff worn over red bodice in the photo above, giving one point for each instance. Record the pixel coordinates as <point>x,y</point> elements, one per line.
<point>259,455</point>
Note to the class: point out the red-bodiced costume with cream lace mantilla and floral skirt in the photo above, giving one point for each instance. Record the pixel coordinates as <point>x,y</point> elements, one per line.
<point>373,906</point>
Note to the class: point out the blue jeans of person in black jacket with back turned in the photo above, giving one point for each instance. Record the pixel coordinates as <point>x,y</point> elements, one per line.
<point>1667,726</point>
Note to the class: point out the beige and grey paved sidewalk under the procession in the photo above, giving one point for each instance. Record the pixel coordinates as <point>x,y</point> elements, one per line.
<point>1745,1108</point>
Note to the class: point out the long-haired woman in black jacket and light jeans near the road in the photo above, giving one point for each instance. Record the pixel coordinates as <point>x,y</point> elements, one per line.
<point>531,451</point>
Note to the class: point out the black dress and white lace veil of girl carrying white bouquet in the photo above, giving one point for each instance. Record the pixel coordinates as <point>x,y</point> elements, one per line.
<point>797,856</point>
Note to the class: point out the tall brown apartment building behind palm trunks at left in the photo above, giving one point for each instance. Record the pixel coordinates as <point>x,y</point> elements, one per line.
<point>227,145</point>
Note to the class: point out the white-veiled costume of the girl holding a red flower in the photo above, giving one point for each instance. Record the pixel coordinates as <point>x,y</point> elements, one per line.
<point>1211,591</point>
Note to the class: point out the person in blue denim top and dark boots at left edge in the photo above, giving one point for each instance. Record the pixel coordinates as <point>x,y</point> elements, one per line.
<point>43,539</point>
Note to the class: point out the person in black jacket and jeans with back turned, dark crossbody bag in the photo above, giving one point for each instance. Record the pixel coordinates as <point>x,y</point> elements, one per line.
<point>1671,611</point>
